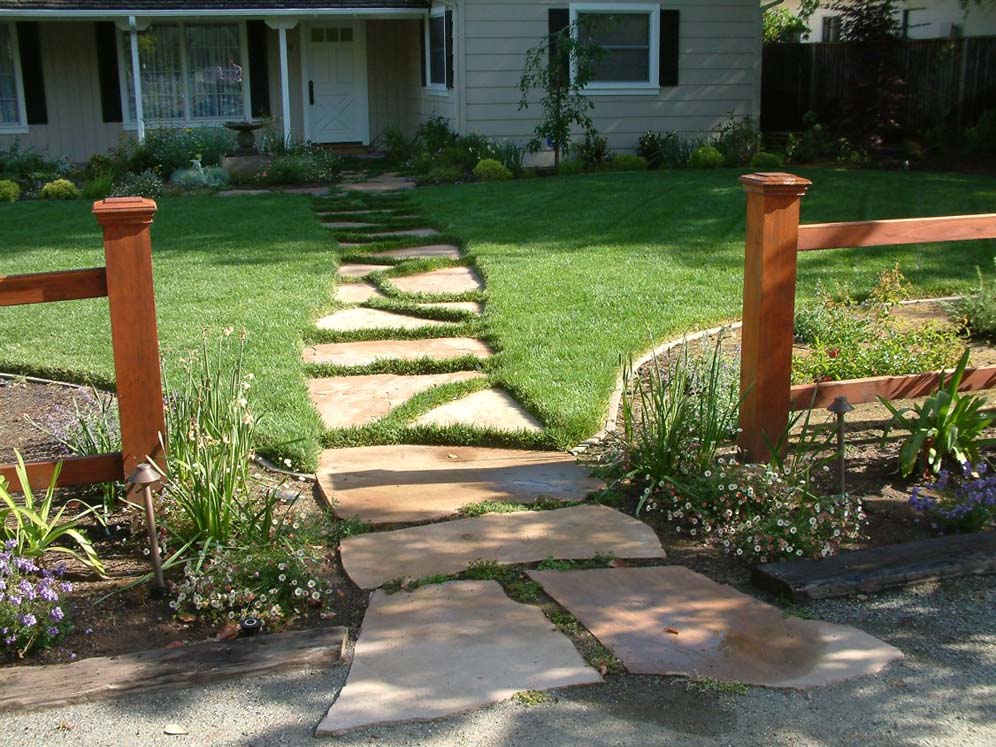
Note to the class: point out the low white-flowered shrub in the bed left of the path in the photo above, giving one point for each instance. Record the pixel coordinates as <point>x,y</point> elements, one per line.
<point>272,583</point>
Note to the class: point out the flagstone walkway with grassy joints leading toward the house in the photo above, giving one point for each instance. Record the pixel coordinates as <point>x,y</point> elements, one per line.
<point>401,374</point>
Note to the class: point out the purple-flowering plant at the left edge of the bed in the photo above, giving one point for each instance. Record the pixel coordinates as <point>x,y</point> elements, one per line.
<point>31,612</point>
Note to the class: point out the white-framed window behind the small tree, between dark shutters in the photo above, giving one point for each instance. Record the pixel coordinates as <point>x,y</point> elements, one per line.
<point>629,35</point>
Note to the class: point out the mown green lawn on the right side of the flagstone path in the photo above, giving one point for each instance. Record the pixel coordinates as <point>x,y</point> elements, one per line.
<point>582,270</point>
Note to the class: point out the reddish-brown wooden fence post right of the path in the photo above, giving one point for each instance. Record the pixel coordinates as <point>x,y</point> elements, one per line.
<point>773,202</point>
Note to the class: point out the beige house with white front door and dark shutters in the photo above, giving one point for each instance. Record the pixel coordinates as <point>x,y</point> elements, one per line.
<point>77,75</point>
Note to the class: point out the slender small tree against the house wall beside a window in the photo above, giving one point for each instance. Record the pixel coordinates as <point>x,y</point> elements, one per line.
<point>561,67</point>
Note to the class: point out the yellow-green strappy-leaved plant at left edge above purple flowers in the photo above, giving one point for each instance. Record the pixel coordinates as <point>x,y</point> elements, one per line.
<point>34,528</point>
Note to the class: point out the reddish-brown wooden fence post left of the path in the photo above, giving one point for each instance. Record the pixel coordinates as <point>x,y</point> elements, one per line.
<point>130,292</point>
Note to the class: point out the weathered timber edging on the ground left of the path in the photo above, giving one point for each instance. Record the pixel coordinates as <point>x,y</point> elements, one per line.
<point>34,688</point>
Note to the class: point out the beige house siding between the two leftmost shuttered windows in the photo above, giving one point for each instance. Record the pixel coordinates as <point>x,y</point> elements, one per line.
<point>72,96</point>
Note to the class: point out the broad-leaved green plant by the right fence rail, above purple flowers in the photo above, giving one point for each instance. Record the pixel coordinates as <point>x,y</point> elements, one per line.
<point>946,427</point>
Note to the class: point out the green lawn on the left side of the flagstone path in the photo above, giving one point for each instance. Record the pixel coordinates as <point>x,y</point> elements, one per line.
<point>258,263</point>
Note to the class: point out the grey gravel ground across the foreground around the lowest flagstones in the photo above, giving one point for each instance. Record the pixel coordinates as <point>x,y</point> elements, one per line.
<point>943,693</point>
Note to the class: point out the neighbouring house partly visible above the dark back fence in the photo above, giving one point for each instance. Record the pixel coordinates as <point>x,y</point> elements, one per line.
<point>918,19</point>
